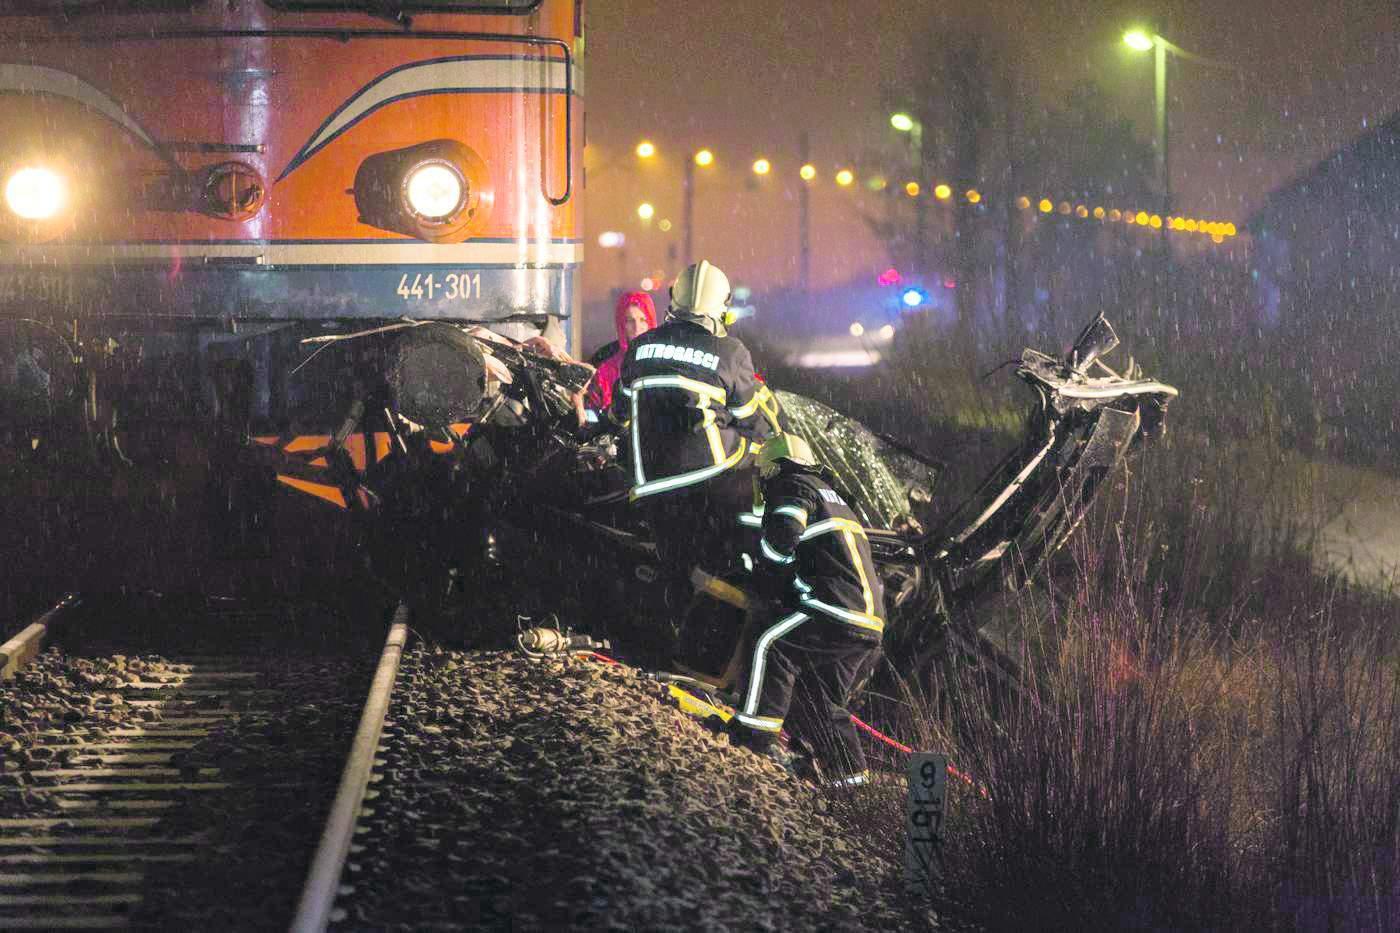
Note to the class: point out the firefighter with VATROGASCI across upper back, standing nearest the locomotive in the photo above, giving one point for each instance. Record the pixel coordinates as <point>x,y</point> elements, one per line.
<point>691,407</point>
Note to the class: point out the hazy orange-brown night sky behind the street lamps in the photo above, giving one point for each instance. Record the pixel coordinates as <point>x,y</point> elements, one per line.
<point>745,79</point>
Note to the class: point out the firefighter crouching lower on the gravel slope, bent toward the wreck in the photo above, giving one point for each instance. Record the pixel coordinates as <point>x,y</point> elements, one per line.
<point>817,616</point>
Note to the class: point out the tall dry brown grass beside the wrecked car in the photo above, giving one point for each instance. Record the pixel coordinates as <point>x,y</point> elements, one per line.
<point>1209,735</point>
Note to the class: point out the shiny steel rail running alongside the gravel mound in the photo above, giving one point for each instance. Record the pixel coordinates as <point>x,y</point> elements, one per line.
<point>318,896</point>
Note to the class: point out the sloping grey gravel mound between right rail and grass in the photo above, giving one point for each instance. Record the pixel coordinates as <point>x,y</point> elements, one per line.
<point>572,795</point>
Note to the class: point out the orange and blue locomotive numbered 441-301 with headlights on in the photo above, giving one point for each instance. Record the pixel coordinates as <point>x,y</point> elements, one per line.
<point>192,193</point>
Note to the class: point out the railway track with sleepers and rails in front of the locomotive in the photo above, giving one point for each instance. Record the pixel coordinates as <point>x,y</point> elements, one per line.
<point>149,796</point>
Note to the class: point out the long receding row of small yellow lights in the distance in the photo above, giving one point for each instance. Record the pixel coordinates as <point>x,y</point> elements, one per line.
<point>943,193</point>
